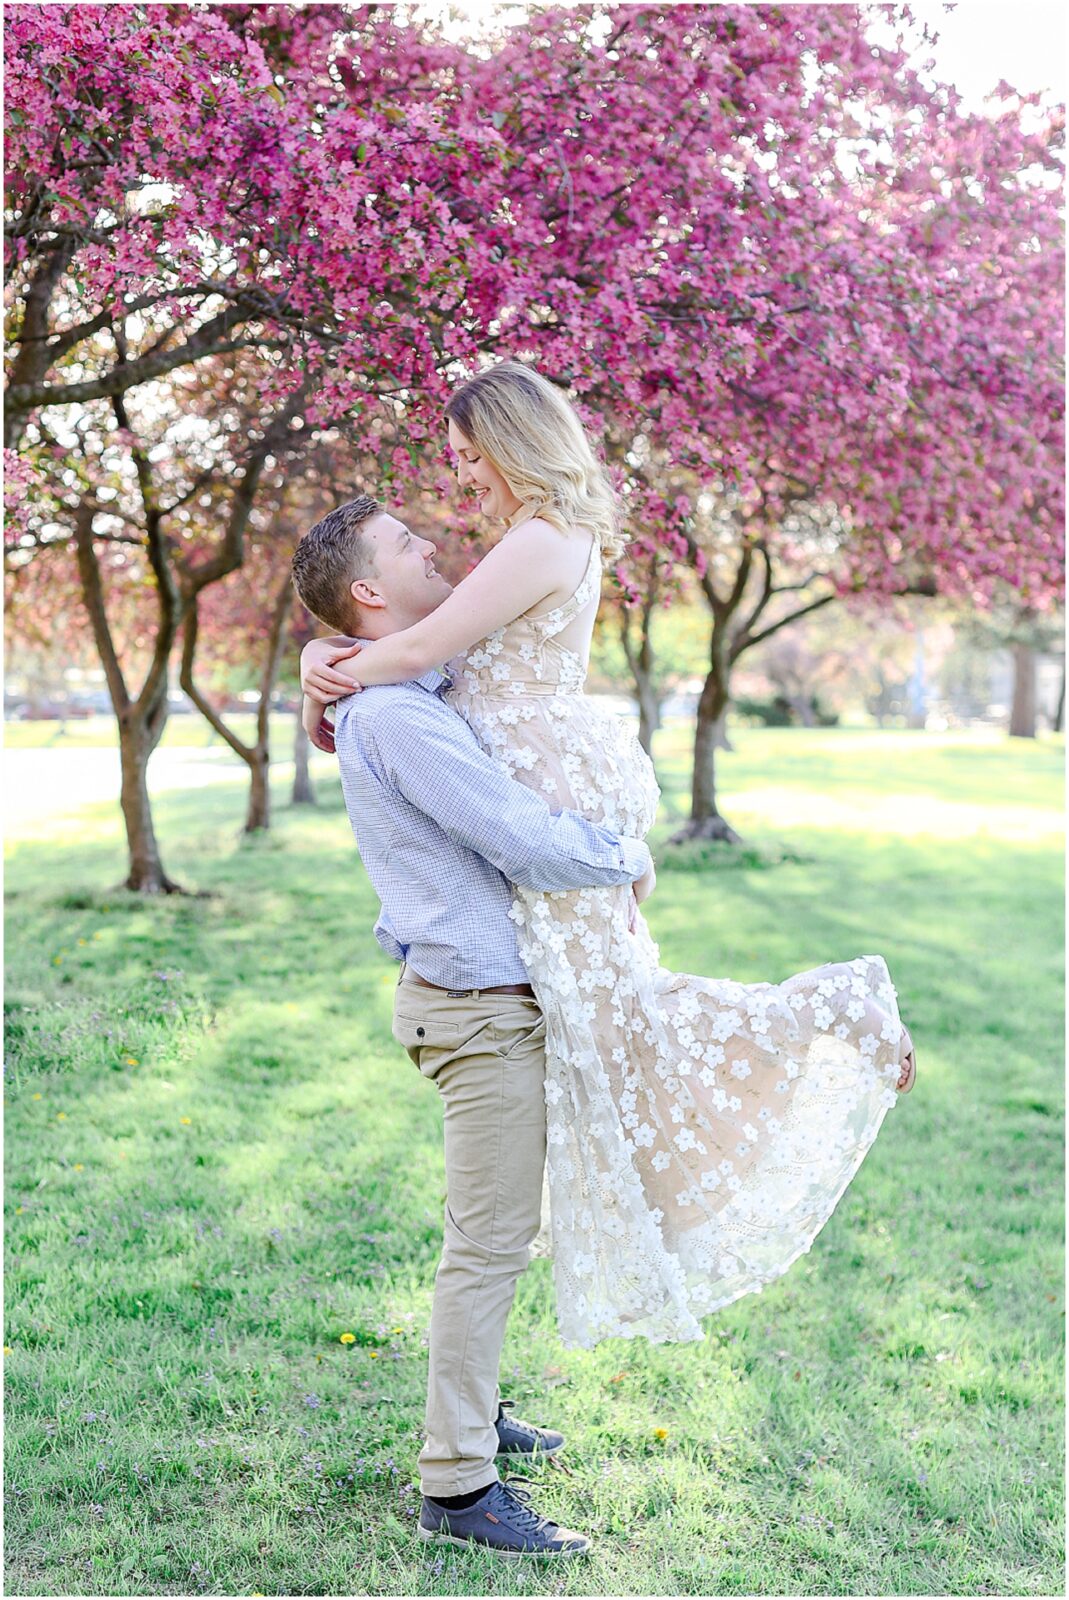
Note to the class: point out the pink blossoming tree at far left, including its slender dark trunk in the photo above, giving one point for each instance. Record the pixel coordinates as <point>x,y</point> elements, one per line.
<point>190,190</point>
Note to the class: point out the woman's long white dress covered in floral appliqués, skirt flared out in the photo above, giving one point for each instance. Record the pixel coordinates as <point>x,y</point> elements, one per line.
<point>700,1132</point>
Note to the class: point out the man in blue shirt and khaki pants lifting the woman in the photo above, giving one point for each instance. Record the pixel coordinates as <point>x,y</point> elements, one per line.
<point>442,831</point>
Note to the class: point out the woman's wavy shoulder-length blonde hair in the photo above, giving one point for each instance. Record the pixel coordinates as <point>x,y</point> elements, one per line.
<point>532,434</point>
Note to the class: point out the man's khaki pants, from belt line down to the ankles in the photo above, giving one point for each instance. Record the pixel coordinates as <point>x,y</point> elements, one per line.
<point>487,1055</point>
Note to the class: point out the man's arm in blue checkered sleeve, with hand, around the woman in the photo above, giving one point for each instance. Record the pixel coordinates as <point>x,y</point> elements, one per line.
<point>431,756</point>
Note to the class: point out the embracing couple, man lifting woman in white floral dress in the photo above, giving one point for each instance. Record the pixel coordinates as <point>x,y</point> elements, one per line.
<point>691,1135</point>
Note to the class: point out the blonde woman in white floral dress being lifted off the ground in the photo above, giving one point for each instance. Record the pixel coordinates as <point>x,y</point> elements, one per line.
<point>700,1132</point>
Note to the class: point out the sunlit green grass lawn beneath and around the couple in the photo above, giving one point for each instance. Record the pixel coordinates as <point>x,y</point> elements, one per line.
<point>220,1164</point>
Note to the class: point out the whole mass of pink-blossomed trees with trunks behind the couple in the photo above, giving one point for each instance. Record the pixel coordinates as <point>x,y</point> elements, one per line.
<point>811,306</point>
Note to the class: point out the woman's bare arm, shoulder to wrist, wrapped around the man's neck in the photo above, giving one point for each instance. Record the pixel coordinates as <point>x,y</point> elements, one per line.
<point>527,567</point>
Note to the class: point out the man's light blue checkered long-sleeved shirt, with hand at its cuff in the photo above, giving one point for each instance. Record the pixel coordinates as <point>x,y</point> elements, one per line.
<point>442,831</point>
